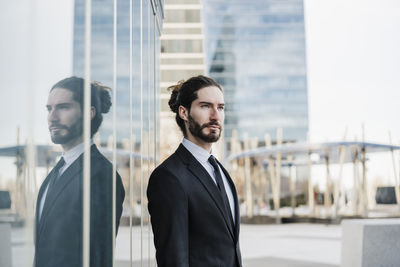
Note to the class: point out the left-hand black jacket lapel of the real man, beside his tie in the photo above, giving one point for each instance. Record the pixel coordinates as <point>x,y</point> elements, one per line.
<point>202,175</point>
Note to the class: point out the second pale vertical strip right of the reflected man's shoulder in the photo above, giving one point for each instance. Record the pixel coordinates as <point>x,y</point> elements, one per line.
<point>141,133</point>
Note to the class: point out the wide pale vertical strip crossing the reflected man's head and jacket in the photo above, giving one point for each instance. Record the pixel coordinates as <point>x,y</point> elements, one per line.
<point>86,137</point>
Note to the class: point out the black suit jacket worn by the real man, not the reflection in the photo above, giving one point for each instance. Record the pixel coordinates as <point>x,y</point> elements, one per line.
<point>190,224</point>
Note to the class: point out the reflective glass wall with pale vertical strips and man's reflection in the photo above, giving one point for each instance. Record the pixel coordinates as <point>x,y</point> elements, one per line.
<point>80,131</point>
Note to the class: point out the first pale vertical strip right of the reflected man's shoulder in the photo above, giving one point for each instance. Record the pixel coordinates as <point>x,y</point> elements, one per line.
<point>131,145</point>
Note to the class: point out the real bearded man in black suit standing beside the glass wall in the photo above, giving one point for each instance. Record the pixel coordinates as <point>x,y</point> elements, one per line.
<point>192,199</point>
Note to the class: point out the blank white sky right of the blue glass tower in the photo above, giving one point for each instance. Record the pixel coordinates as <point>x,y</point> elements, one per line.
<point>353,68</point>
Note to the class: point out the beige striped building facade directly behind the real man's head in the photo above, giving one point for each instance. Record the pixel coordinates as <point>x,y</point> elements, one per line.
<point>182,56</point>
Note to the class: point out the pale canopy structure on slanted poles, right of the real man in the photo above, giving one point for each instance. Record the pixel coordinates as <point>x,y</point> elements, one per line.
<point>270,159</point>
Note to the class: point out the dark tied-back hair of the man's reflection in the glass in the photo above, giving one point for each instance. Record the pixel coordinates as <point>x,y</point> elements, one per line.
<point>100,98</point>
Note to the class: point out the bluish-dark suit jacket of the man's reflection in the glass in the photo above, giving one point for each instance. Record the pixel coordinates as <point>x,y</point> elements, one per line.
<point>59,231</point>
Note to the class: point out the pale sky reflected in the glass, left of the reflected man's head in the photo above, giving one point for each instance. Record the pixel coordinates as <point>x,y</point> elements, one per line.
<point>45,34</point>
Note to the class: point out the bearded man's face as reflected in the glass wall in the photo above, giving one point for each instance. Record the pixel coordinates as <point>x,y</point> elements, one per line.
<point>64,117</point>
